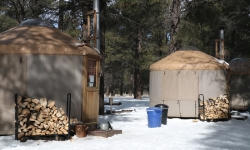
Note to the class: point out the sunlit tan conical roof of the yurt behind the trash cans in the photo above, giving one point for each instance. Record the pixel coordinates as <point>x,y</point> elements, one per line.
<point>189,60</point>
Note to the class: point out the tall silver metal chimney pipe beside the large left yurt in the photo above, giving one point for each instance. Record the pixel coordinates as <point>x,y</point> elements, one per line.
<point>96,8</point>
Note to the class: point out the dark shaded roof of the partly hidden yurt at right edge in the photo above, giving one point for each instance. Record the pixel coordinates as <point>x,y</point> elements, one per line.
<point>239,66</point>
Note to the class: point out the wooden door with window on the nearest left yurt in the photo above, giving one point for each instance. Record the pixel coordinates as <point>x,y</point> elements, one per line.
<point>91,94</point>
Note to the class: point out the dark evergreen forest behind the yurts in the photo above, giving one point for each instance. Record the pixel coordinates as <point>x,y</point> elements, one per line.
<point>136,33</point>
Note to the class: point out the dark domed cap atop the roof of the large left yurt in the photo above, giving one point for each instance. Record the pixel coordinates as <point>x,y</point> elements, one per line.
<point>36,22</point>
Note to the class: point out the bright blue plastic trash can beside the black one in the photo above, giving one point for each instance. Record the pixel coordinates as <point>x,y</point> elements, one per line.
<point>154,117</point>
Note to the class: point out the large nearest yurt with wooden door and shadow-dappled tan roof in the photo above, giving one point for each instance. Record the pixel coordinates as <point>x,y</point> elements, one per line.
<point>40,61</point>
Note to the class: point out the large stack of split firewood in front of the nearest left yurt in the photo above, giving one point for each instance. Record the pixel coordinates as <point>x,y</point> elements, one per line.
<point>40,117</point>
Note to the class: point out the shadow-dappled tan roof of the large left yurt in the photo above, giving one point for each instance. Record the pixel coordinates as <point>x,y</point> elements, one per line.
<point>30,39</point>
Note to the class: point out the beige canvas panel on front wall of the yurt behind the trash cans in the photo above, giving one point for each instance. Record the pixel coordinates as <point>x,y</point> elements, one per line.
<point>179,92</point>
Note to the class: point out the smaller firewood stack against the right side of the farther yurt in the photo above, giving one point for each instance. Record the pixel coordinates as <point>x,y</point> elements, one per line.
<point>216,108</point>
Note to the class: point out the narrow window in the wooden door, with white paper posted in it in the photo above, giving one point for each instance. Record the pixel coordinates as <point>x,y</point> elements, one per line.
<point>91,72</point>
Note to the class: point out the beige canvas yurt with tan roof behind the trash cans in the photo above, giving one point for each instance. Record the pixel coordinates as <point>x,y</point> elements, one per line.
<point>179,78</point>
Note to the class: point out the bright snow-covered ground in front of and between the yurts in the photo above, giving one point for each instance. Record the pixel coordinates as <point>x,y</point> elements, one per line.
<point>183,134</point>
